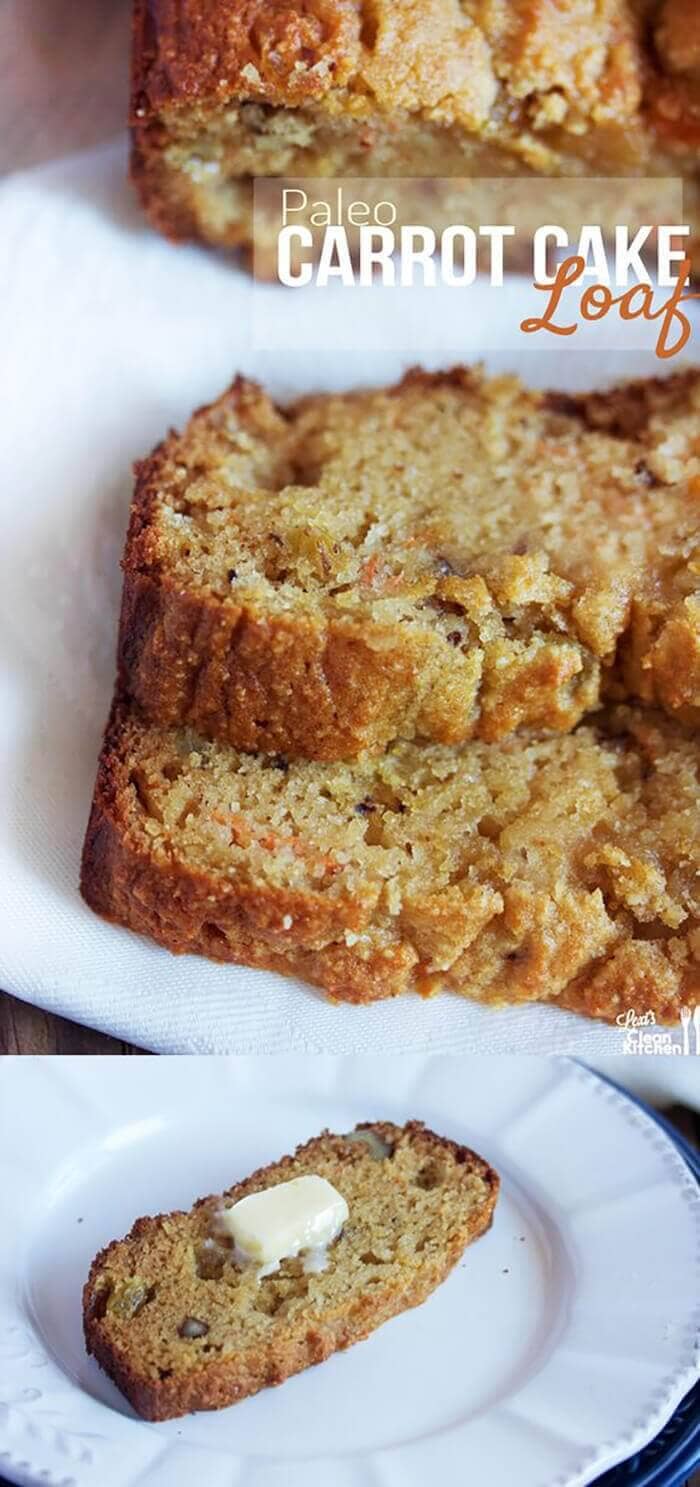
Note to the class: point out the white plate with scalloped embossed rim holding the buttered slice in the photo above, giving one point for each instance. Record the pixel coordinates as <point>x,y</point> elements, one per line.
<point>558,1346</point>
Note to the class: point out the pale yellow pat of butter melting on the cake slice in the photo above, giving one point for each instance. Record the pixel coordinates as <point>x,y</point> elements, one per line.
<point>292,1219</point>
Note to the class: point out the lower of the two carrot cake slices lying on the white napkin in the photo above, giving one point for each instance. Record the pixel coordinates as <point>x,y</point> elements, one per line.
<point>542,869</point>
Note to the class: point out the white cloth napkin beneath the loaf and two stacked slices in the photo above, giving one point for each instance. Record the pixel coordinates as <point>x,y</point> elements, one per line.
<point>109,335</point>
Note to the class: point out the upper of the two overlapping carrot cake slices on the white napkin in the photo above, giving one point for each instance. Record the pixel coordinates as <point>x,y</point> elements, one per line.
<point>445,560</point>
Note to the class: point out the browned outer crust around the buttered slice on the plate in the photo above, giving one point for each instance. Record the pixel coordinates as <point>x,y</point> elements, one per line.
<point>224,1382</point>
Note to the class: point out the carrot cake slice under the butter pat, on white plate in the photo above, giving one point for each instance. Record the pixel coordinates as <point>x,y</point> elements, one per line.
<point>178,1326</point>
